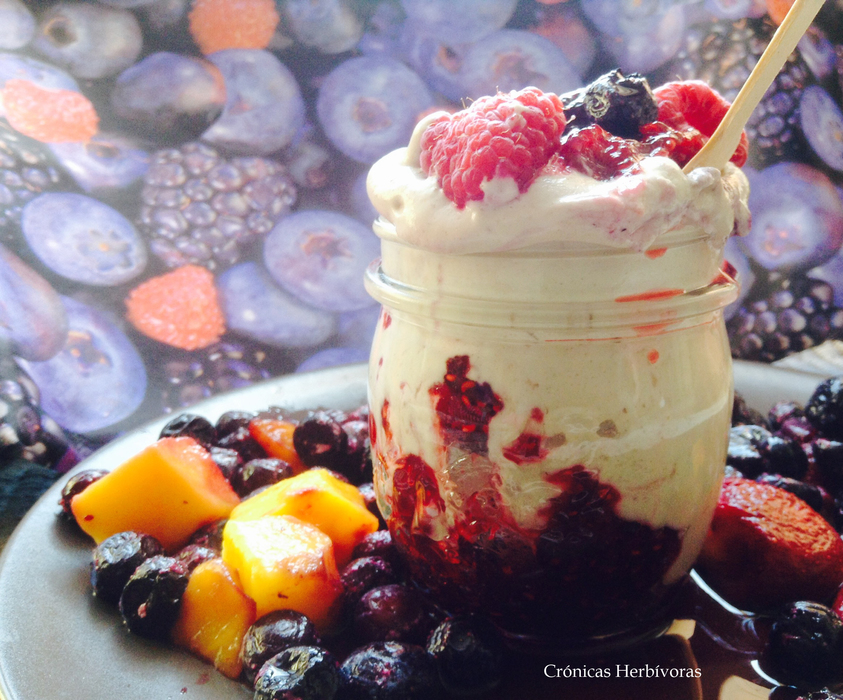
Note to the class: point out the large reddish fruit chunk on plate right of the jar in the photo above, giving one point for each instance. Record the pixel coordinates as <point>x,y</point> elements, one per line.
<point>766,547</point>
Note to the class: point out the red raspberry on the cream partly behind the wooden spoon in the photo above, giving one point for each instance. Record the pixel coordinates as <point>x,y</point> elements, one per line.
<point>692,103</point>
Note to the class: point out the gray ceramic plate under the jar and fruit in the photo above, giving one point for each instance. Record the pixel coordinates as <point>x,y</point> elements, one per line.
<point>58,643</point>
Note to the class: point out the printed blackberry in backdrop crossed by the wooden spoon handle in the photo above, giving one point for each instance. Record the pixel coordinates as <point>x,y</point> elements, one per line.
<point>723,54</point>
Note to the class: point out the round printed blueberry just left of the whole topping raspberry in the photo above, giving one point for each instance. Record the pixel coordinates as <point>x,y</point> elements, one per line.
<point>369,106</point>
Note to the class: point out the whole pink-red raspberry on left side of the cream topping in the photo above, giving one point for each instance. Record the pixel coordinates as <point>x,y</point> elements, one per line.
<point>504,135</point>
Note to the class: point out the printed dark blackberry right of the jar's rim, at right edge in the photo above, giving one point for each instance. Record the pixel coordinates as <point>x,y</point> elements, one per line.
<point>797,313</point>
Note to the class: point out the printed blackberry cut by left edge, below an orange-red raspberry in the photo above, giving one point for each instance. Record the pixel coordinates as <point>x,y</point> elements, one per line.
<point>26,171</point>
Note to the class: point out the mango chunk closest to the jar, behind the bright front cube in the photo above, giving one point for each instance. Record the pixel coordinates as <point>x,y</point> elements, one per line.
<point>317,497</point>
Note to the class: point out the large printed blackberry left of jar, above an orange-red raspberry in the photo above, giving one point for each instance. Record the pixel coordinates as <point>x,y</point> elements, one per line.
<point>202,208</point>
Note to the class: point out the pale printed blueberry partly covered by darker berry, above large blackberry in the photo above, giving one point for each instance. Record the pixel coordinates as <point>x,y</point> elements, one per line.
<point>264,109</point>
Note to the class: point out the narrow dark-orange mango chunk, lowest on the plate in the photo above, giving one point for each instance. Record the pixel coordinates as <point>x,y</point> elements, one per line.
<point>214,617</point>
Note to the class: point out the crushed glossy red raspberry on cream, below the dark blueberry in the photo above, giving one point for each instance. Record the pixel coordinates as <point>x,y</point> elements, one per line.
<point>596,153</point>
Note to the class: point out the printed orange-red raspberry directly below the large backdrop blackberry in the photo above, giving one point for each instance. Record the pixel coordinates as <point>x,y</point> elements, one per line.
<point>179,308</point>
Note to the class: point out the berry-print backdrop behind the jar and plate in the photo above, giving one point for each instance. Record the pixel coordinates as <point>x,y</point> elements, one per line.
<point>139,138</point>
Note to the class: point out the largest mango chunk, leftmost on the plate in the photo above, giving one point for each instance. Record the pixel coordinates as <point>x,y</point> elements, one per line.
<point>169,490</point>
